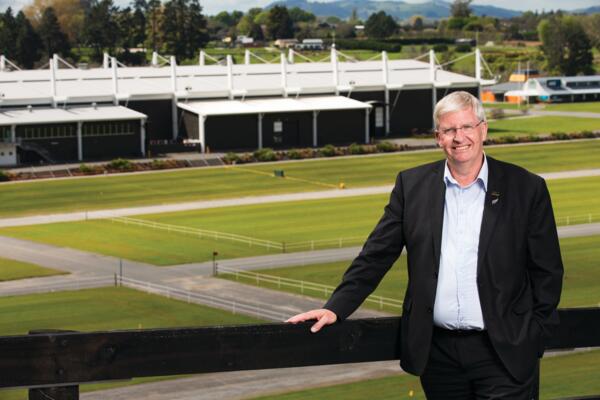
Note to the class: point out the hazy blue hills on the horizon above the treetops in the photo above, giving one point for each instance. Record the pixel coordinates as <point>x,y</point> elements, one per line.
<point>434,9</point>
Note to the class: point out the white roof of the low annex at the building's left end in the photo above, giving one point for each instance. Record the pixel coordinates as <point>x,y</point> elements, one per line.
<point>66,115</point>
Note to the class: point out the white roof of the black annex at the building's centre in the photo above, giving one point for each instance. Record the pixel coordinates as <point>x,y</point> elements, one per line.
<point>272,105</point>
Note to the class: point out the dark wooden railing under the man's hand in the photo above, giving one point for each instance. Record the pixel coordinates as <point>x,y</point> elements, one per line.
<point>54,364</point>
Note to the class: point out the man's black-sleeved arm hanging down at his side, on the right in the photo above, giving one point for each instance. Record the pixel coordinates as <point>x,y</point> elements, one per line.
<point>545,266</point>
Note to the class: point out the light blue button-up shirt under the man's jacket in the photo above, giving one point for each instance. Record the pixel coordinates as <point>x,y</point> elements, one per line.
<point>457,303</point>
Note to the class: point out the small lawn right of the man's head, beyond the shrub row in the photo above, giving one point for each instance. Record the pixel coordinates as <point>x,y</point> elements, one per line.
<point>523,126</point>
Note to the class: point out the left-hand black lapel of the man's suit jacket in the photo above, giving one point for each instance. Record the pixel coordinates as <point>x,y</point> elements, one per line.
<point>436,210</point>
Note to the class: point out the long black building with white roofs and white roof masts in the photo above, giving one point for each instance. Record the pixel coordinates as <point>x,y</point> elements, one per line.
<point>72,114</point>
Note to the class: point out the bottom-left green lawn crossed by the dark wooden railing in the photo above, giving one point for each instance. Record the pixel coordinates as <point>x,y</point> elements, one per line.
<point>103,309</point>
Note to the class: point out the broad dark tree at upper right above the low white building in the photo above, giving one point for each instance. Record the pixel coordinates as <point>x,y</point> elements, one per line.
<point>566,46</point>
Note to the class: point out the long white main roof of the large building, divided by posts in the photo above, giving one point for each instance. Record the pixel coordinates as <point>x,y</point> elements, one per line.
<point>210,81</point>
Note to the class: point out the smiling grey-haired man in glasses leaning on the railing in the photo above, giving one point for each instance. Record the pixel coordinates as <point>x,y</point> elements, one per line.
<point>484,266</point>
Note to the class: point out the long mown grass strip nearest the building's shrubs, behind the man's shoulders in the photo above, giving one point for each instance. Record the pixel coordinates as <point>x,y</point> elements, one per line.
<point>30,198</point>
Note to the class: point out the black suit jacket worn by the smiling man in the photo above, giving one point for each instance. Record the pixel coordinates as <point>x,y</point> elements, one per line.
<point>519,269</point>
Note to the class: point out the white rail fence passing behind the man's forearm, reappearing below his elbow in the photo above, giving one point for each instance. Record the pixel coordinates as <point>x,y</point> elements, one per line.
<point>304,286</point>
